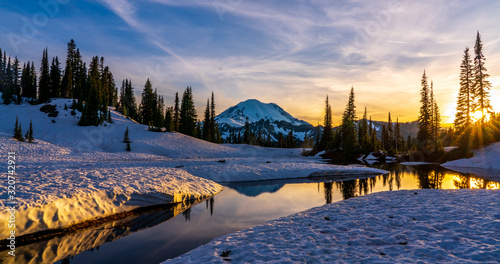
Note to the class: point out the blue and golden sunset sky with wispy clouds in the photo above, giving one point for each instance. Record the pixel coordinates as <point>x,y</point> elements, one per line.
<point>292,53</point>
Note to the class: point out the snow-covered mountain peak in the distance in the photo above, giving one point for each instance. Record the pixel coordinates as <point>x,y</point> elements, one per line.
<point>264,118</point>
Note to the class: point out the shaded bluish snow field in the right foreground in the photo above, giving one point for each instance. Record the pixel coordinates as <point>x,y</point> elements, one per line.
<point>432,226</point>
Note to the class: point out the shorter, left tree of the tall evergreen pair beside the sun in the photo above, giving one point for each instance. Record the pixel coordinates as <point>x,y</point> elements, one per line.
<point>463,117</point>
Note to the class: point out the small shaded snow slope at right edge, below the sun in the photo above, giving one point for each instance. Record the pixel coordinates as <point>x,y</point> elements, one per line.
<point>485,158</point>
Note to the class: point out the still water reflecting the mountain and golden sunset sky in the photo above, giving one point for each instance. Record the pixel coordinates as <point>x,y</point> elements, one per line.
<point>160,235</point>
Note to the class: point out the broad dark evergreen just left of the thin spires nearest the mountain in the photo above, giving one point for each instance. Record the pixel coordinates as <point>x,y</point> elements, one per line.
<point>187,114</point>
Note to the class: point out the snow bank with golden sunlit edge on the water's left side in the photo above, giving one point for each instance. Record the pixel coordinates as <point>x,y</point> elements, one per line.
<point>51,198</point>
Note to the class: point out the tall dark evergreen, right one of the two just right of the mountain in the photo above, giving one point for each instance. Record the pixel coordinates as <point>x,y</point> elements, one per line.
<point>348,128</point>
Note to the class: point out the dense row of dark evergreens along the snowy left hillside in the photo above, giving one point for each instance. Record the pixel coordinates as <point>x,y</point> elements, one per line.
<point>93,89</point>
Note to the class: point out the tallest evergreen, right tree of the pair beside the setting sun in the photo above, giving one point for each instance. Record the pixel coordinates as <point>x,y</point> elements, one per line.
<point>481,83</point>
